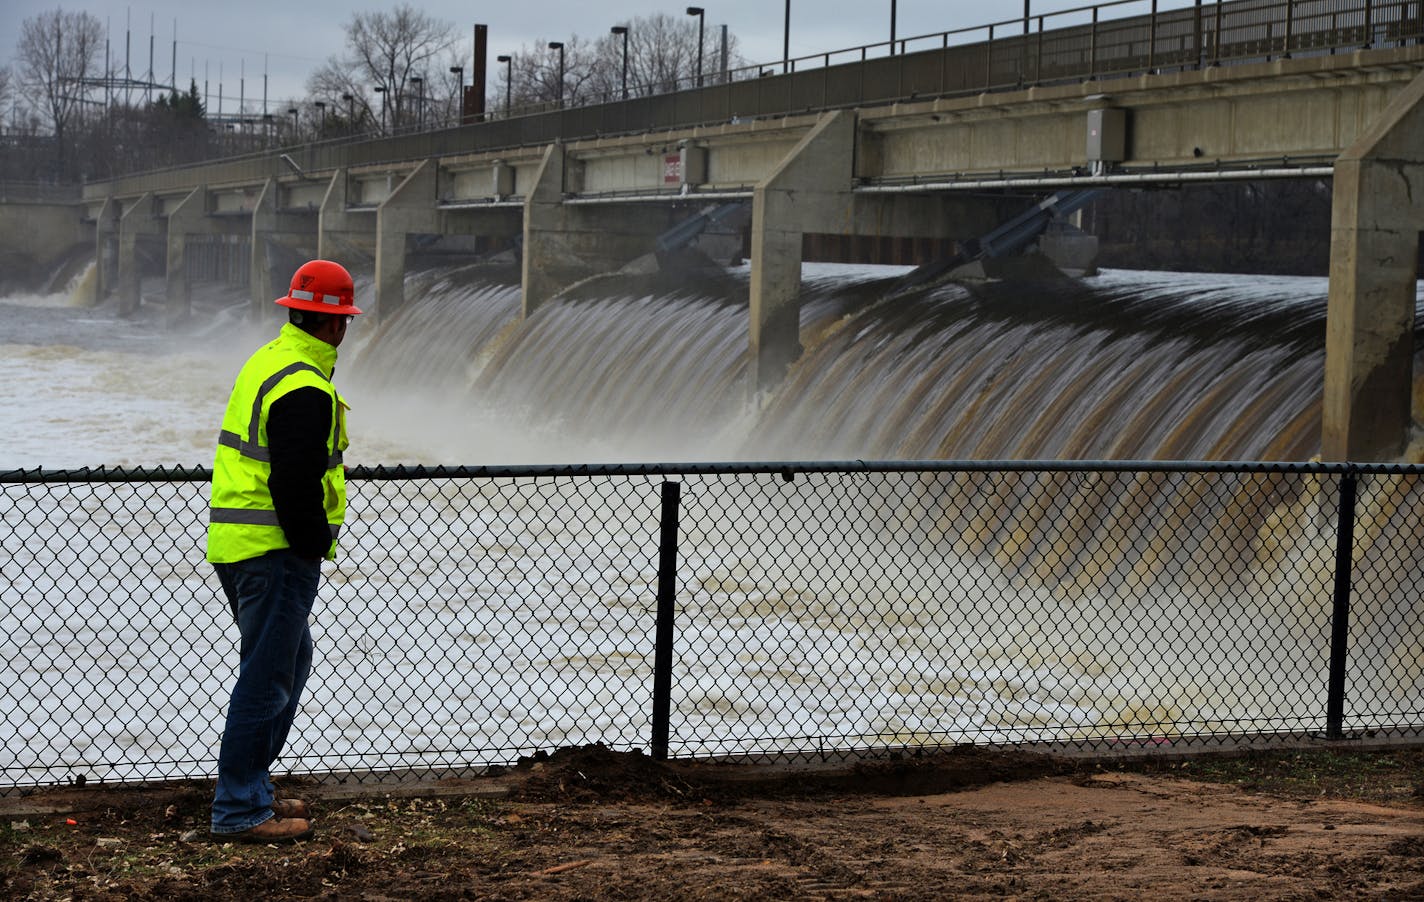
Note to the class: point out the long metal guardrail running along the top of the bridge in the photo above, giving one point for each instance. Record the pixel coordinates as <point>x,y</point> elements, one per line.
<point>1067,46</point>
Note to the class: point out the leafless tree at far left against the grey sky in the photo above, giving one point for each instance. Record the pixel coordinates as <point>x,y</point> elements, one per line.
<point>58,53</point>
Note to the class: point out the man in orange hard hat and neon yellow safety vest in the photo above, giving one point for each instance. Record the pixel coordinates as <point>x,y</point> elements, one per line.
<point>278,501</point>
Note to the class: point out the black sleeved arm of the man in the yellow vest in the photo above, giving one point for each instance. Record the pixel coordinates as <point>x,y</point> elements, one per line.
<point>300,427</point>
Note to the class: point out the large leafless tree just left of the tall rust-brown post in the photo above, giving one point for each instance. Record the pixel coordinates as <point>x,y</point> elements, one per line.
<point>391,62</point>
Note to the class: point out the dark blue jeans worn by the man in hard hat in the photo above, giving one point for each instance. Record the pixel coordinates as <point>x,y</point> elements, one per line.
<point>271,599</point>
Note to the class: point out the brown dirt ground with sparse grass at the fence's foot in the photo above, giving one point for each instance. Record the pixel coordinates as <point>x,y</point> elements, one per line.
<point>592,824</point>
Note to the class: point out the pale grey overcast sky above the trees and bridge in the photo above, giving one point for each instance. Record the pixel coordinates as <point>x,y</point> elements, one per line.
<point>288,39</point>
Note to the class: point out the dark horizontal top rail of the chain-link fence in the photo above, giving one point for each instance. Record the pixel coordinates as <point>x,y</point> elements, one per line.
<point>787,471</point>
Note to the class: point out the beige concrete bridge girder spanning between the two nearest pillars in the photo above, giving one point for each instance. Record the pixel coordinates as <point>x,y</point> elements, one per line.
<point>1307,109</point>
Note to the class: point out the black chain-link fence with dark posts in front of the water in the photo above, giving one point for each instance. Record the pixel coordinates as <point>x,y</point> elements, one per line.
<point>478,616</point>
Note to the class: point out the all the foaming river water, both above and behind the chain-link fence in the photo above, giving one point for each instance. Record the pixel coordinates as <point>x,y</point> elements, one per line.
<point>1127,366</point>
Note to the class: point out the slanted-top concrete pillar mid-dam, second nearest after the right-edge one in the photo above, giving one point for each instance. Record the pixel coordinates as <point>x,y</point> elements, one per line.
<point>808,193</point>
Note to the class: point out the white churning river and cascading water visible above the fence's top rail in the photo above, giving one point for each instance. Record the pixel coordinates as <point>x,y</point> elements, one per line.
<point>1130,366</point>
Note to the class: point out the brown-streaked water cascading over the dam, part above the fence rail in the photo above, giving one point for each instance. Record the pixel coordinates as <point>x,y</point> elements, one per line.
<point>1127,366</point>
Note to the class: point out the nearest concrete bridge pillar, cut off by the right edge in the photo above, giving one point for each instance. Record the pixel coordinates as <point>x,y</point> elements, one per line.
<point>1375,239</point>
